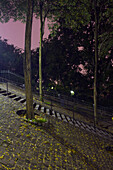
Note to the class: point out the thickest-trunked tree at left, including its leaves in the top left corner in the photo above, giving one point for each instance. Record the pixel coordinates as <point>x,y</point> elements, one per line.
<point>14,9</point>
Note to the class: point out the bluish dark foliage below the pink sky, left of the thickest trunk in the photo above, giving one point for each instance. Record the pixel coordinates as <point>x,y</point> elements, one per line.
<point>10,58</point>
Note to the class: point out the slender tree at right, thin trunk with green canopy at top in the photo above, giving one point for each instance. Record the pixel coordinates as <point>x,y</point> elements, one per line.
<point>77,13</point>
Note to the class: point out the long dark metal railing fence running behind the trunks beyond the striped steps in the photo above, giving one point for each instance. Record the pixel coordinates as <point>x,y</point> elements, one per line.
<point>73,104</point>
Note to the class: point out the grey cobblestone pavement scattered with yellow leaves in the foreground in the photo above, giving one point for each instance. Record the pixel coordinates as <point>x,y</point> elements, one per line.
<point>56,146</point>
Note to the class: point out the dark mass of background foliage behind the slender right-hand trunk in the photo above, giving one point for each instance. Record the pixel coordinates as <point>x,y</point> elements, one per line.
<point>83,37</point>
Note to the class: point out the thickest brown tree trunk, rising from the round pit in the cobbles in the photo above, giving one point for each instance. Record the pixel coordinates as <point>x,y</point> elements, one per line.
<point>27,62</point>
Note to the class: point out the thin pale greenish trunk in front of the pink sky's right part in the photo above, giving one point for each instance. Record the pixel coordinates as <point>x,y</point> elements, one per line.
<point>40,53</point>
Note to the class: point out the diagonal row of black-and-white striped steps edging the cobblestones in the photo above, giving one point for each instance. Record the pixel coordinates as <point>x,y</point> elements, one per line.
<point>63,117</point>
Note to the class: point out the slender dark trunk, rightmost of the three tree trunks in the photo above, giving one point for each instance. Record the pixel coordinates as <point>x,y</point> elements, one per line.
<point>96,63</point>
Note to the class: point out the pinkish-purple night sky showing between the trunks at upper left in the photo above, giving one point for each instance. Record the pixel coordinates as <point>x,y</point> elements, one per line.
<point>14,32</point>
